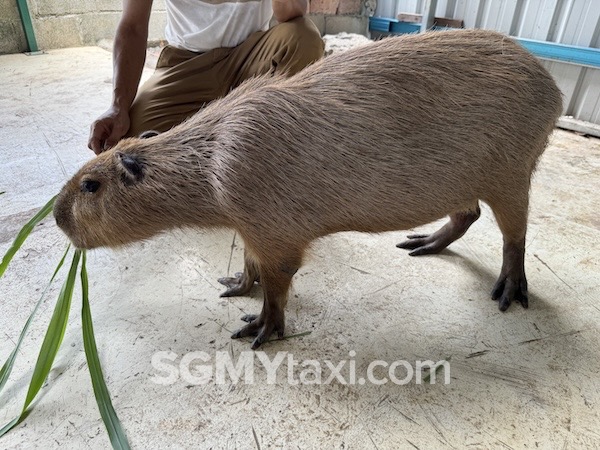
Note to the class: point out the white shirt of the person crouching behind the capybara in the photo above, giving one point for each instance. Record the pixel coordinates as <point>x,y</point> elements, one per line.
<point>202,25</point>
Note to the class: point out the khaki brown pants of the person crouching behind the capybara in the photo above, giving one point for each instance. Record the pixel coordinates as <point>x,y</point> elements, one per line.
<point>185,81</point>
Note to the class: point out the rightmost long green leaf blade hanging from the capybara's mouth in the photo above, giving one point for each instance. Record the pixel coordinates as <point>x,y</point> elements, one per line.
<point>116,433</point>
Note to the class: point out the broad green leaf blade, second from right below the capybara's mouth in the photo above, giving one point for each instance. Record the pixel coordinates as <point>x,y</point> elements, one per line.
<point>52,341</point>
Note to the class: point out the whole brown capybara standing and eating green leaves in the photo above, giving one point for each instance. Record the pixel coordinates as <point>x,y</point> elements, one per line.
<point>388,136</point>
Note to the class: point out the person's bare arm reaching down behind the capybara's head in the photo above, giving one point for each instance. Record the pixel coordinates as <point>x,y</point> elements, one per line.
<point>129,55</point>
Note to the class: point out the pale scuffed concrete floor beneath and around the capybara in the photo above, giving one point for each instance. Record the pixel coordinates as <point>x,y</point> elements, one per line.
<point>520,379</point>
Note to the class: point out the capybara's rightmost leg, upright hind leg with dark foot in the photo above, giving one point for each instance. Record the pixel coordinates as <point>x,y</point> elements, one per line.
<point>511,284</point>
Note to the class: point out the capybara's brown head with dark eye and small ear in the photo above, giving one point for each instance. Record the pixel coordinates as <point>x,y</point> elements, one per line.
<point>130,193</point>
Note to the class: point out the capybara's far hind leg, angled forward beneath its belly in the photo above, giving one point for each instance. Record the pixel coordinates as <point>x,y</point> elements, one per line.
<point>456,227</point>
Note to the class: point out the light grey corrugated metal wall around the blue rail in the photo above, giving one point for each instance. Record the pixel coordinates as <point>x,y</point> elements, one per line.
<point>575,22</point>
